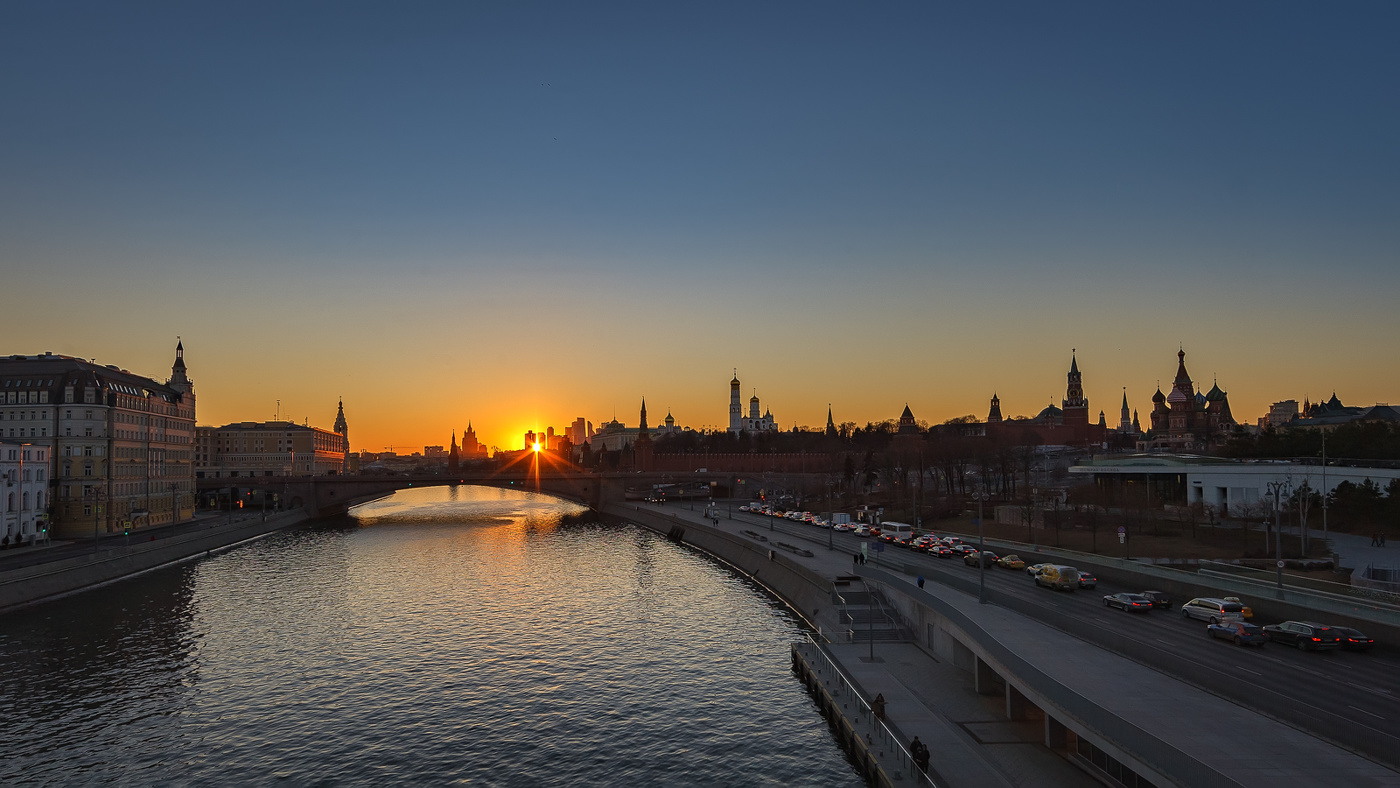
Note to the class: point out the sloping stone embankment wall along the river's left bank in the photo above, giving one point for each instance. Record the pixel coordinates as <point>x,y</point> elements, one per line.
<point>29,586</point>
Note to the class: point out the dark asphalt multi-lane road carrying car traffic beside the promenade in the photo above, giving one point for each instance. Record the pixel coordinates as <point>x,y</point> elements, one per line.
<point>1352,699</point>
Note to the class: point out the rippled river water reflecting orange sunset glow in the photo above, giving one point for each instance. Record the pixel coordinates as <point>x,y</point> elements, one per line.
<point>443,636</point>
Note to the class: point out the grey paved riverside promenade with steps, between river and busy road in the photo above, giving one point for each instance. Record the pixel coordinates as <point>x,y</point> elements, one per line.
<point>1171,731</point>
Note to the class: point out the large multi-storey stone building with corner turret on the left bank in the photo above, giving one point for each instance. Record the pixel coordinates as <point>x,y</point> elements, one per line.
<point>121,447</point>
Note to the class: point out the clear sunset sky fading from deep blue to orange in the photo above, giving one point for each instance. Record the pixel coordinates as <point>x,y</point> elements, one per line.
<point>520,213</point>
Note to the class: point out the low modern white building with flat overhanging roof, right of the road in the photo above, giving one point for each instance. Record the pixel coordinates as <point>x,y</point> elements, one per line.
<point>1233,488</point>
